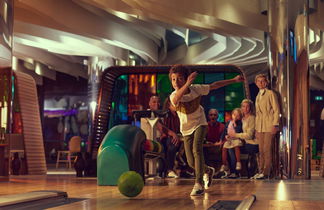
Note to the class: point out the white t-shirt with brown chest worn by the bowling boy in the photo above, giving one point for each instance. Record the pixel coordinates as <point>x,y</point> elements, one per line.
<point>189,110</point>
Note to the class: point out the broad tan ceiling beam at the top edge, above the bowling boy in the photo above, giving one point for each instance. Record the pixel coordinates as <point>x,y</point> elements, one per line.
<point>220,16</point>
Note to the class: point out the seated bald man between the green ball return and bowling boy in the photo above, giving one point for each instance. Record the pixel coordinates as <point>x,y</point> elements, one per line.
<point>168,138</point>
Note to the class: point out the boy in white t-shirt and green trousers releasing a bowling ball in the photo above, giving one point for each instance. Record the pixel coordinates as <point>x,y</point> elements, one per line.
<point>193,124</point>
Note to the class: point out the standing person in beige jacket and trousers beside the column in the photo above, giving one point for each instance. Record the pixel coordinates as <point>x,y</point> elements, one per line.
<point>266,123</point>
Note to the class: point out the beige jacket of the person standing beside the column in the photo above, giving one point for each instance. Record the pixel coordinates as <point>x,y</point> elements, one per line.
<point>267,111</point>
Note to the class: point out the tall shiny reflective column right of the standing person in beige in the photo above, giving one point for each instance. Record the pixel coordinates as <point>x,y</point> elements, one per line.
<point>289,72</point>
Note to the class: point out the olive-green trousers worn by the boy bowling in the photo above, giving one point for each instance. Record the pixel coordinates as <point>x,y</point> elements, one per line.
<point>193,145</point>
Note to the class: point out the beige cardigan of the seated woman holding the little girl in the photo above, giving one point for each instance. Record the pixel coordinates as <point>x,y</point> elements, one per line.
<point>248,130</point>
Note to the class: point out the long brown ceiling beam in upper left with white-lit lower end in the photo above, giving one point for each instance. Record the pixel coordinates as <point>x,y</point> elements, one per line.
<point>85,23</point>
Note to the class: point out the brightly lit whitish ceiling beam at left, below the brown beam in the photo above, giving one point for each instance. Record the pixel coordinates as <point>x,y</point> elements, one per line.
<point>63,42</point>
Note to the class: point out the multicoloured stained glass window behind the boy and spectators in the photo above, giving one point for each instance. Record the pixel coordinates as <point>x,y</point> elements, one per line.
<point>132,92</point>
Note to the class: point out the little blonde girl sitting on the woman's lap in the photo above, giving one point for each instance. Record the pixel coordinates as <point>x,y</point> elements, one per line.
<point>232,142</point>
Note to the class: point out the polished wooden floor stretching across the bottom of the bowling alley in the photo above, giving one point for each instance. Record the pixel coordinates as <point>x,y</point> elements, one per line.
<point>174,193</point>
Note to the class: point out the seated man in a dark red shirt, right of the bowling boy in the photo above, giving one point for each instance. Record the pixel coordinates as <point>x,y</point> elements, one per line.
<point>212,146</point>
